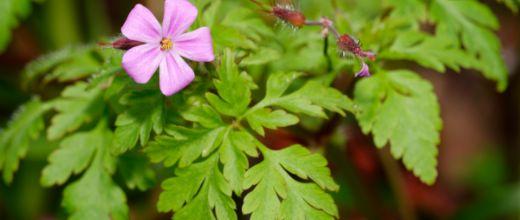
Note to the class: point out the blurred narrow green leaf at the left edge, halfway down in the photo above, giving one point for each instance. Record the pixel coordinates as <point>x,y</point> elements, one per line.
<point>24,127</point>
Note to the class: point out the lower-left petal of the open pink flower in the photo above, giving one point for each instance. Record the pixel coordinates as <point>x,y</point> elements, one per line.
<point>141,62</point>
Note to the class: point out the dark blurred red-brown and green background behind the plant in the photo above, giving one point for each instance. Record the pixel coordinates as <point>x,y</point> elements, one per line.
<point>479,154</point>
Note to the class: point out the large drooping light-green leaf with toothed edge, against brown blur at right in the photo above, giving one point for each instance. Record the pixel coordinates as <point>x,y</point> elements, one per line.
<point>400,108</point>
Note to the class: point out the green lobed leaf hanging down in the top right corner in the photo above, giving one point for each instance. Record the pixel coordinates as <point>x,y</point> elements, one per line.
<point>473,22</point>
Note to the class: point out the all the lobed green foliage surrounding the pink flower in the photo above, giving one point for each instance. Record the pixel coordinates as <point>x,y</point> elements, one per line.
<point>207,136</point>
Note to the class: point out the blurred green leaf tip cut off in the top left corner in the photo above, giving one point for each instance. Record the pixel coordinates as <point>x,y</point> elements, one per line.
<point>12,11</point>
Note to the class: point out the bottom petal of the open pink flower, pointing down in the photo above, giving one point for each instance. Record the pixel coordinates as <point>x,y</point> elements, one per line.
<point>175,74</point>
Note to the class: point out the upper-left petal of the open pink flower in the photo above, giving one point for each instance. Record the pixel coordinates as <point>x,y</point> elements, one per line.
<point>142,26</point>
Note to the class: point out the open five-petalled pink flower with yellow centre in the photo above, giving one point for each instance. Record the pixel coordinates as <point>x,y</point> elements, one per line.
<point>165,46</point>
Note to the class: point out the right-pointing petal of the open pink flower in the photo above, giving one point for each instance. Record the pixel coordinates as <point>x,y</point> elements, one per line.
<point>196,45</point>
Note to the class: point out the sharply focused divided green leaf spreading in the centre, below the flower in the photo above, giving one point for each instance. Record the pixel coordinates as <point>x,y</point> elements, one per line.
<point>201,184</point>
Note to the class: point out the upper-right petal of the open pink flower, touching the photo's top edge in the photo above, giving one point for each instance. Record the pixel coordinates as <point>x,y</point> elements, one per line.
<point>178,17</point>
